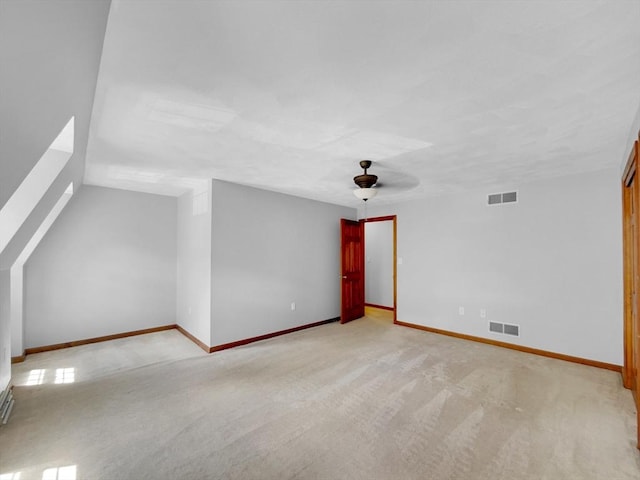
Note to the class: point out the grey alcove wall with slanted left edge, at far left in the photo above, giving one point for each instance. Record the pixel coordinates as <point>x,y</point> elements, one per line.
<point>108,265</point>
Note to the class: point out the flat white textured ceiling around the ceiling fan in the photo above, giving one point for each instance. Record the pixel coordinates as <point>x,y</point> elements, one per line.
<point>289,96</point>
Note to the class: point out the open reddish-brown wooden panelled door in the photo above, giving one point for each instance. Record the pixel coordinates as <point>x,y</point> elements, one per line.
<point>352,252</point>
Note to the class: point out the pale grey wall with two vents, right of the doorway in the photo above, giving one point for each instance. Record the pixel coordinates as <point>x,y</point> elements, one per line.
<point>551,263</point>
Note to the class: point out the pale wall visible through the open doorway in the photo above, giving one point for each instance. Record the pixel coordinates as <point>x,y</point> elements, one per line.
<point>379,263</point>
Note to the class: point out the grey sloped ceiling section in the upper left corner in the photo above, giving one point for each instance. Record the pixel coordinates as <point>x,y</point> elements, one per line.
<point>49,58</point>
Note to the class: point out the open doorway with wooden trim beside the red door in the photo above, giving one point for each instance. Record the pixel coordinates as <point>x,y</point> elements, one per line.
<point>380,267</point>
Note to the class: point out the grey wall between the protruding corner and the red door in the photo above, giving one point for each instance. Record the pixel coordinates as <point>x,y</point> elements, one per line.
<point>270,250</point>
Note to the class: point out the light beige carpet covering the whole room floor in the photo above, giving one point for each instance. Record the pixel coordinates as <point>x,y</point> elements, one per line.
<point>366,400</point>
